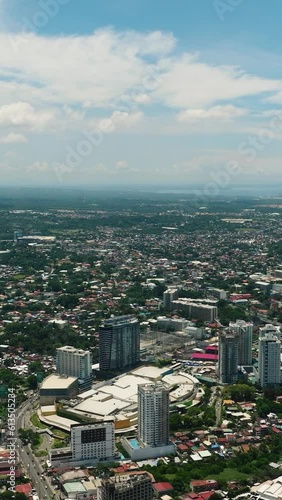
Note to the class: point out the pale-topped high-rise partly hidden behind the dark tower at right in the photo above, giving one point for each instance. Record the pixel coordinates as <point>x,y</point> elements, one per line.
<point>245,333</point>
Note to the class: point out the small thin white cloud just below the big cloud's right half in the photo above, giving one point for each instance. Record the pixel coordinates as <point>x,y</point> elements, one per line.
<point>215,113</point>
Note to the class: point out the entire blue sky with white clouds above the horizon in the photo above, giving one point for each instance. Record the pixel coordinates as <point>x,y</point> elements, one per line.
<point>140,92</point>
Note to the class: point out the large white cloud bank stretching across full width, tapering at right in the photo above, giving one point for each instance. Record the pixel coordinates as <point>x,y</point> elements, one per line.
<point>97,70</point>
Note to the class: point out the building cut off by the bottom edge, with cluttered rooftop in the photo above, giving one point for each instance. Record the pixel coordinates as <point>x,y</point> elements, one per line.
<point>131,486</point>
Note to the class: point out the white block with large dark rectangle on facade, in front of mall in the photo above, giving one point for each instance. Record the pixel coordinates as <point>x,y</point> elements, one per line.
<point>93,441</point>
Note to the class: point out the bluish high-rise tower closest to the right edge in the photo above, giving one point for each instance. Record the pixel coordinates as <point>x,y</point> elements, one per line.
<point>269,361</point>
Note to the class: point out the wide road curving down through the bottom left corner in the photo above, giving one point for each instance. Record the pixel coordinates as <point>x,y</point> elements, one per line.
<point>31,464</point>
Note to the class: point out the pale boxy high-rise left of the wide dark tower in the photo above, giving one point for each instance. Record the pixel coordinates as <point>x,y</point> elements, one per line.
<point>75,363</point>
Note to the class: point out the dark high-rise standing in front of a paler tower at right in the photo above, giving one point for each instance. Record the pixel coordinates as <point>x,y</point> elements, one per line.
<point>228,357</point>
